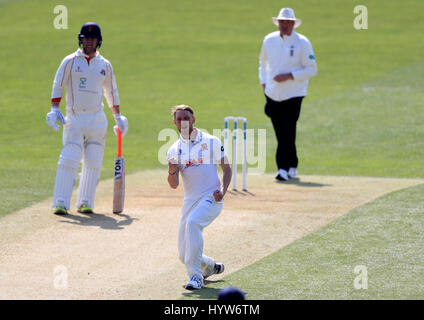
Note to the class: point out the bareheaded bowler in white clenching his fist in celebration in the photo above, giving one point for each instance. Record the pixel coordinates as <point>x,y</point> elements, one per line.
<point>195,156</point>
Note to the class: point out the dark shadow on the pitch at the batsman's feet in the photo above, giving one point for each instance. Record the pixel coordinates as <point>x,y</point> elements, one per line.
<point>99,220</point>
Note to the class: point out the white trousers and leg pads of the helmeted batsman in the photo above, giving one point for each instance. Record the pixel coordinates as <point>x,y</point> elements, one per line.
<point>84,136</point>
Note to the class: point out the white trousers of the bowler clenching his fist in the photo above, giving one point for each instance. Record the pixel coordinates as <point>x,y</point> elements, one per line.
<point>195,216</point>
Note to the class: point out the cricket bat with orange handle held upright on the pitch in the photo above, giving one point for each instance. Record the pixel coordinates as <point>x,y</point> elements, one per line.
<point>119,178</point>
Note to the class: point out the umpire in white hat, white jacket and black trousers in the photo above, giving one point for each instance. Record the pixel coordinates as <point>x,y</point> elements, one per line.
<point>286,63</point>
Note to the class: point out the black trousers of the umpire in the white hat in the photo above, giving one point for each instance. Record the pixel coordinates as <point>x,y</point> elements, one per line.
<point>284,116</point>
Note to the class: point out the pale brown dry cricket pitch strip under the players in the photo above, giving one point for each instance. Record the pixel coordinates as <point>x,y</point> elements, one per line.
<point>134,255</point>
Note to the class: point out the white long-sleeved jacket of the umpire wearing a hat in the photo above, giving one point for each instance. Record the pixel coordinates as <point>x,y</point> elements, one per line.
<point>284,55</point>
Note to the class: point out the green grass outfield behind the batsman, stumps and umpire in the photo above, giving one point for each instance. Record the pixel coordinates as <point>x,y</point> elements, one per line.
<point>363,115</point>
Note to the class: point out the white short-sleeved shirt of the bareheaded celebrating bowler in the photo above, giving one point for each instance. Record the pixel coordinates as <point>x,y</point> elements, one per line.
<point>197,162</point>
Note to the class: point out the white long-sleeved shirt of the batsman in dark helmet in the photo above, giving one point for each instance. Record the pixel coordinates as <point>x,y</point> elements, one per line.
<point>85,81</point>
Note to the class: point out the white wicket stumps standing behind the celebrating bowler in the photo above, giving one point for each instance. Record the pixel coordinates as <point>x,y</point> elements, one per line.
<point>234,153</point>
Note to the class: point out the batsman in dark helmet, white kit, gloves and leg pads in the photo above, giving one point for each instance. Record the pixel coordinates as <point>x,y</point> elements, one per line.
<point>86,75</point>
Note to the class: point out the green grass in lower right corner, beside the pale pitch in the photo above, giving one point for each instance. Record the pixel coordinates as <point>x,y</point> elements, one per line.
<point>384,236</point>
